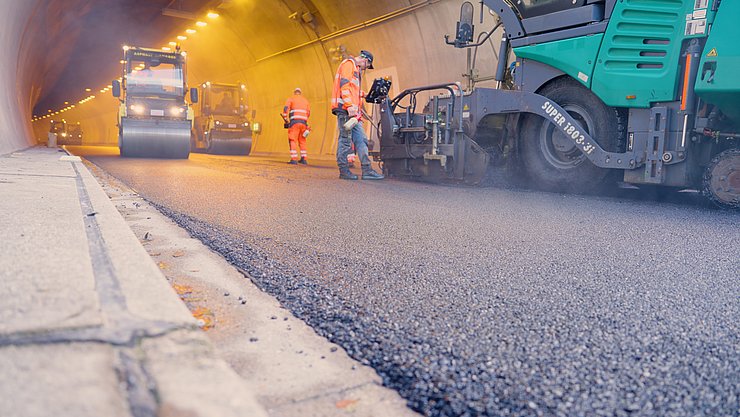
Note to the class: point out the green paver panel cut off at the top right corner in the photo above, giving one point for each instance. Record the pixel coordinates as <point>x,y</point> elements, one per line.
<point>718,82</point>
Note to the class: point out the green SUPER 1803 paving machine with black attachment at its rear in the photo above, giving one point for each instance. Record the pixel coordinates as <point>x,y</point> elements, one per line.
<point>587,92</point>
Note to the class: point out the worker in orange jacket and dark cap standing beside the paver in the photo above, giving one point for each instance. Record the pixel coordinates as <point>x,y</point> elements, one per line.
<point>346,105</point>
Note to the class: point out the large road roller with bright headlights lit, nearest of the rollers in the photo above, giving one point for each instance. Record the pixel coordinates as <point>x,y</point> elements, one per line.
<point>154,119</point>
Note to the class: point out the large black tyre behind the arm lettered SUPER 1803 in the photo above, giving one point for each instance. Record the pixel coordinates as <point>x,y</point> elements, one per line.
<point>551,160</point>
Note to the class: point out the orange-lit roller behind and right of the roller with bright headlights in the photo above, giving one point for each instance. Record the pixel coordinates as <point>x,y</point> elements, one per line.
<point>222,124</point>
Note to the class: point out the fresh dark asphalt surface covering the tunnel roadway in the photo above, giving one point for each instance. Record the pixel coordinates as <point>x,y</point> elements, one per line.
<point>480,301</point>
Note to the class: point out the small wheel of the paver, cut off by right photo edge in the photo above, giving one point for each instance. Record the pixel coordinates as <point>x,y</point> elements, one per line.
<point>721,183</point>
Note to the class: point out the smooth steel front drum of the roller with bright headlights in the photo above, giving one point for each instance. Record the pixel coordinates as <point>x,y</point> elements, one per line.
<point>155,138</point>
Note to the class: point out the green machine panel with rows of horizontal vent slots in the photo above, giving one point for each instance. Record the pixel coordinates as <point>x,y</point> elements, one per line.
<point>639,61</point>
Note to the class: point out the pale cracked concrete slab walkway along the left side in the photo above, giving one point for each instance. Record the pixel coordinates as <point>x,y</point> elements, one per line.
<point>99,331</point>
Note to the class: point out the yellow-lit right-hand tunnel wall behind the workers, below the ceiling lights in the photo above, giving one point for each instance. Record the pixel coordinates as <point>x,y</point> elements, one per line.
<point>255,43</point>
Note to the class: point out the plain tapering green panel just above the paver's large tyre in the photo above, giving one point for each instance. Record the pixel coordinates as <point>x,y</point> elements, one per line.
<point>575,57</point>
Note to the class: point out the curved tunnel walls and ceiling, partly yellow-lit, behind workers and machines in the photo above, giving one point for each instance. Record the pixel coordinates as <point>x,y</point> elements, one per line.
<point>59,57</point>
